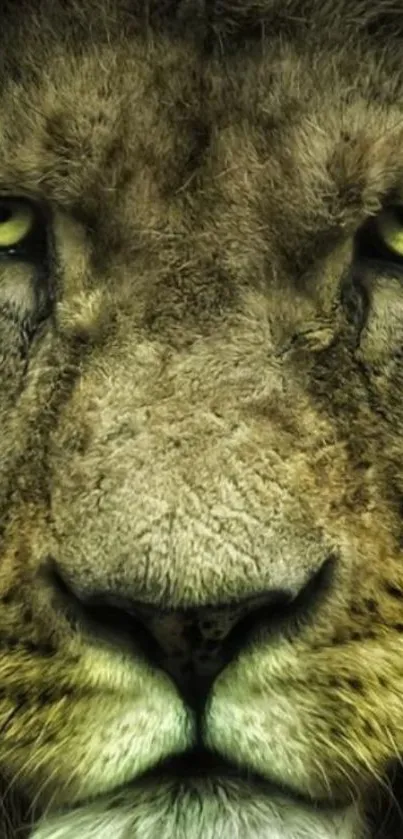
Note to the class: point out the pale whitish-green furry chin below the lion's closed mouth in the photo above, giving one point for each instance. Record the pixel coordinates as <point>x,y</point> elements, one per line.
<point>200,807</point>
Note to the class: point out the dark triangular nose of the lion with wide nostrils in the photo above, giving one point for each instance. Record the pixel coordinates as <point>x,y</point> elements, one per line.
<point>192,645</point>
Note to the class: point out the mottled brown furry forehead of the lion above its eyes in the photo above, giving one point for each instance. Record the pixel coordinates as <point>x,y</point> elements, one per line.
<point>119,131</point>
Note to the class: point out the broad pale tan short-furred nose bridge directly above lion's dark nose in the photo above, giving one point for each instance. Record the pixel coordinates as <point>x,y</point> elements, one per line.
<point>186,482</point>
